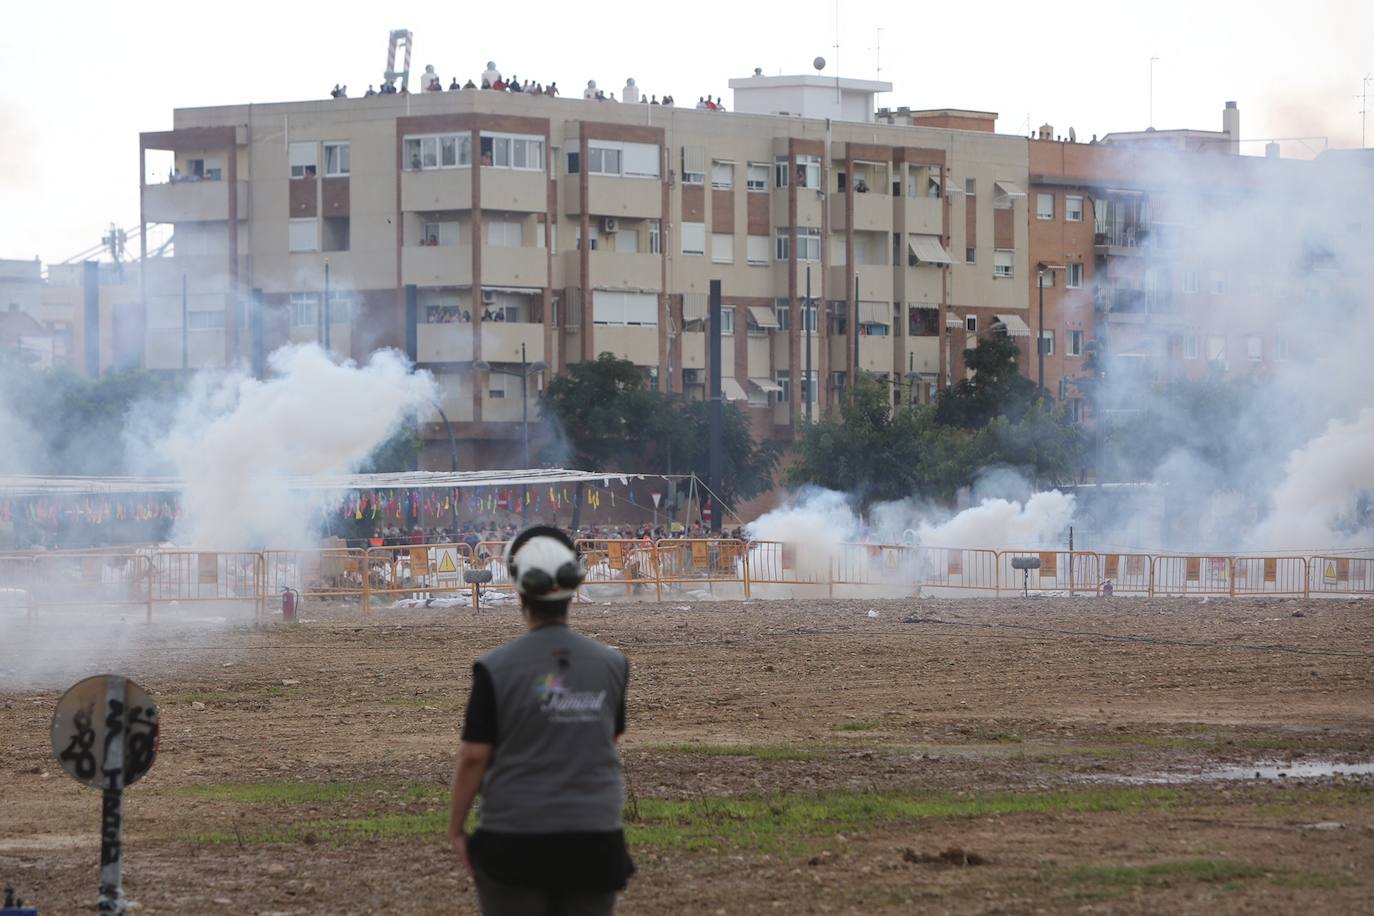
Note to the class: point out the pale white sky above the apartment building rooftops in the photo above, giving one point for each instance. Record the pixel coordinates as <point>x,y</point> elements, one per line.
<point>80,80</point>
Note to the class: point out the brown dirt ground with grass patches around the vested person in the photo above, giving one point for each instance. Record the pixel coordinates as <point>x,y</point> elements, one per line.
<point>943,757</point>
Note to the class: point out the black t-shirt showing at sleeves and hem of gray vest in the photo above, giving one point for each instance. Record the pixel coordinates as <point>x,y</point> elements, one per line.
<point>581,863</point>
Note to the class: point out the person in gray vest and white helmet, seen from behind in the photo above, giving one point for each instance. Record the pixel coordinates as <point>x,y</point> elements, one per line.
<point>539,741</point>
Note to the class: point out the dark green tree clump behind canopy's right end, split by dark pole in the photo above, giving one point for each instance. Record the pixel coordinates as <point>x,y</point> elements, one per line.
<point>609,421</point>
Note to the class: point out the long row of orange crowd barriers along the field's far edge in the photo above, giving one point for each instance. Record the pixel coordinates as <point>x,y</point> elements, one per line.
<point>670,569</point>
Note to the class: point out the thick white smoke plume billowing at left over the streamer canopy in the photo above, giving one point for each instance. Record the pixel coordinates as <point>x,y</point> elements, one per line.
<point>237,442</point>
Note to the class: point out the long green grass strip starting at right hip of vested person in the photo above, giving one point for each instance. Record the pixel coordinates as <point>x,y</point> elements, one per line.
<point>793,823</point>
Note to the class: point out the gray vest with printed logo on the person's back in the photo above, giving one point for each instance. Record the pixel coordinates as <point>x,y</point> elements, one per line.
<point>556,768</point>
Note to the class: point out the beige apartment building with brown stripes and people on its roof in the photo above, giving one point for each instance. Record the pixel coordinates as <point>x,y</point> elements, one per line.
<point>502,238</point>
